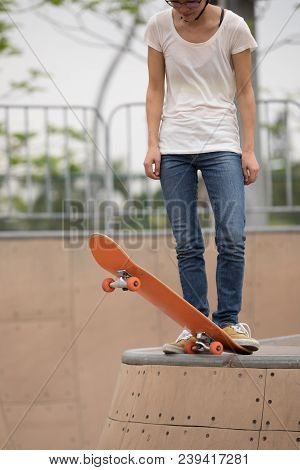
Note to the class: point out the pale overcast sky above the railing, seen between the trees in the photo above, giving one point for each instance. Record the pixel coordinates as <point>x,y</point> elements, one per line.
<point>77,69</point>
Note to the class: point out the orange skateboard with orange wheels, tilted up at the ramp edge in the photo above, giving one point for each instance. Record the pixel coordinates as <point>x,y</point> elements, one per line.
<point>128,276</point>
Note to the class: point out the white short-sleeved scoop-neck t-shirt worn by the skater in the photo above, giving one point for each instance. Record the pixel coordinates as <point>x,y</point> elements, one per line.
<point>199,114</point>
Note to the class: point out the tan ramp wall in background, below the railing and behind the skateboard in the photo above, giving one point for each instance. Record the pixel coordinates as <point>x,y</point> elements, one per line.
<point>62,337</point>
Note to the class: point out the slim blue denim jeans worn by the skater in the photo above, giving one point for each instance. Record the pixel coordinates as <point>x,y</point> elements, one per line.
<point>223,177</point>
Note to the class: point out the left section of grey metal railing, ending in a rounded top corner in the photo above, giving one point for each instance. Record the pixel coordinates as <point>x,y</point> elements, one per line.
<point>47,161</point>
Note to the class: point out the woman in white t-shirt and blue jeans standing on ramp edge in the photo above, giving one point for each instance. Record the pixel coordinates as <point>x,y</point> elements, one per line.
<point>205,53</point>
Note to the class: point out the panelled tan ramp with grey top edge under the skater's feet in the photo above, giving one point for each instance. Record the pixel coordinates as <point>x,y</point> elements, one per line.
<point>207,402</point>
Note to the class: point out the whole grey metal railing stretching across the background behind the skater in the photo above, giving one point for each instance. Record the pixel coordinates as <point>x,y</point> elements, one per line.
<point>50,179</point>
